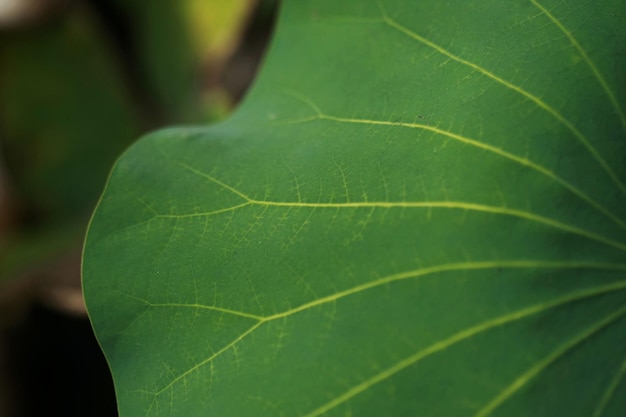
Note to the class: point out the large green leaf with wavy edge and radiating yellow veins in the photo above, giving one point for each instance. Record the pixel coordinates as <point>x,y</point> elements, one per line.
<point>420,209</point>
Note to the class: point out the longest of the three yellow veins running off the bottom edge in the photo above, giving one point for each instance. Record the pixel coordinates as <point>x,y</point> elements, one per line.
<point>454,339</point>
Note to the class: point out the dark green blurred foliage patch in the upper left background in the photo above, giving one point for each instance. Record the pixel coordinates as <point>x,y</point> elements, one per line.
<point>65,115</point>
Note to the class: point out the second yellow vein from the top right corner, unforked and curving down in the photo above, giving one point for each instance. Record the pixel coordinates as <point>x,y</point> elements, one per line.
<point>389,21</point>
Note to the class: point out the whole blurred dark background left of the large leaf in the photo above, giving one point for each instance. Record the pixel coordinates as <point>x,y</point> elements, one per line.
<point>80,80</point>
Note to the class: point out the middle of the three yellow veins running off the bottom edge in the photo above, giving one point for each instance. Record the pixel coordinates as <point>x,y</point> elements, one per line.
<point>529,375</point>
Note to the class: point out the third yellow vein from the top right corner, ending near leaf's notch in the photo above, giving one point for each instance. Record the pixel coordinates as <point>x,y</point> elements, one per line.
<point>523,161</point>
